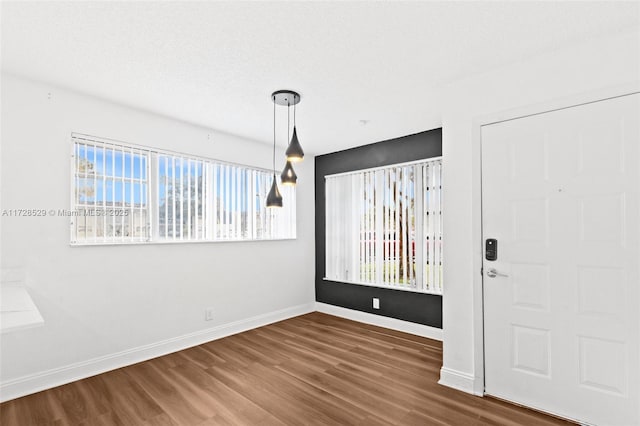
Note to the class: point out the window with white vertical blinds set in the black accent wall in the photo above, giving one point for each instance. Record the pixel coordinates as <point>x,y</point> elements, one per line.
<point>384,226</point>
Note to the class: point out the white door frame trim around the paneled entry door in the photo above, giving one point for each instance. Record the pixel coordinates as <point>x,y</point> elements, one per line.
<point>477,123</point>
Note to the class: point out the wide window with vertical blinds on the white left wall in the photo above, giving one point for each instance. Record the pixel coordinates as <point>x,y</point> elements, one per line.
<point>127,194</point>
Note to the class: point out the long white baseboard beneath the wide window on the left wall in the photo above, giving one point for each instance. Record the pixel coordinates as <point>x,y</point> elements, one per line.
<point>37,382</point>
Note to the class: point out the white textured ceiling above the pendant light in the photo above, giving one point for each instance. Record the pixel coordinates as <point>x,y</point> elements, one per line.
<point>216,63</point>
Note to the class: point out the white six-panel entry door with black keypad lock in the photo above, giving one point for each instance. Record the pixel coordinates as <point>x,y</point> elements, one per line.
<point>560,195</point>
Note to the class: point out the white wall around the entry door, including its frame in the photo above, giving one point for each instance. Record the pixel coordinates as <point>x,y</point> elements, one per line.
<point>604,66</point>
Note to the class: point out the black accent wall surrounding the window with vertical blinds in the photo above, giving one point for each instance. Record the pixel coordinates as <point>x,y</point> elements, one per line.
<point>409,306</point>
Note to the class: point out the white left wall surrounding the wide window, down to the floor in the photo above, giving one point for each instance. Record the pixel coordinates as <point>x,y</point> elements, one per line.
<point>103,305</point>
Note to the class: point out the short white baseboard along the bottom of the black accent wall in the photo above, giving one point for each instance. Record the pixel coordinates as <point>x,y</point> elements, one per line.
<point>381,321</point>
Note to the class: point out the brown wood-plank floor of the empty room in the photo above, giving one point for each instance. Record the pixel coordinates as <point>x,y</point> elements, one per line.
<point>313,369</point>
